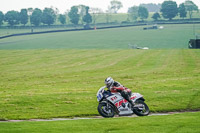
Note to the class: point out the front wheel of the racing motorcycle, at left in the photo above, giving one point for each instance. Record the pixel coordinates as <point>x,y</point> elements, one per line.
<point>105,110</point>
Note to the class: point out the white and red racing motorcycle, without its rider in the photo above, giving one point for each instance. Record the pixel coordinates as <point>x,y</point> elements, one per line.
<point>113,103</point>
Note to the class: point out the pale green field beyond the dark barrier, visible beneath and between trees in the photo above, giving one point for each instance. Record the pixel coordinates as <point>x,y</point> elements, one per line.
<point>101,20</point>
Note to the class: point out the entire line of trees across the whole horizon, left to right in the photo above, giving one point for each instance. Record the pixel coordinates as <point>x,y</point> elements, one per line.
<point>87,15</point>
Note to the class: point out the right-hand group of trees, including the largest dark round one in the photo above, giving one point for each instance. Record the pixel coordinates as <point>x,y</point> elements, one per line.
<point>169,10</point>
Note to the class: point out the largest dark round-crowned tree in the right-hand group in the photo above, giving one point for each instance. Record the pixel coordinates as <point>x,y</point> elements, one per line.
<point>169,9</point>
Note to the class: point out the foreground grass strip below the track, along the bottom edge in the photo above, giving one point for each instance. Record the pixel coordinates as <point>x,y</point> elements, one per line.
<point>177,123</point>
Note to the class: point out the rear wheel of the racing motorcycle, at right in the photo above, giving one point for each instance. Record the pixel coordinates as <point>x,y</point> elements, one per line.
<point>140,108</point>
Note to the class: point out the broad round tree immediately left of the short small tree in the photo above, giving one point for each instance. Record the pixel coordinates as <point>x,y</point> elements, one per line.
<point>48,16</point>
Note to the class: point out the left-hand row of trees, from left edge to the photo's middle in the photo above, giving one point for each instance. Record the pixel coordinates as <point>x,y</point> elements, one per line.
<point>47,16</point>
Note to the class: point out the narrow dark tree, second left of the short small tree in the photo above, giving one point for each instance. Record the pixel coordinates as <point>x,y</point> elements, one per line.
<point>36,17</point>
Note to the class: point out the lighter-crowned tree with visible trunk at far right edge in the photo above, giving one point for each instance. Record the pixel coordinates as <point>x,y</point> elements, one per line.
<point>190,7</point>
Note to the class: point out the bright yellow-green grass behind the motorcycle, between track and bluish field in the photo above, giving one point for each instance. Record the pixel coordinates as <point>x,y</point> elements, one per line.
<point>63,83</point>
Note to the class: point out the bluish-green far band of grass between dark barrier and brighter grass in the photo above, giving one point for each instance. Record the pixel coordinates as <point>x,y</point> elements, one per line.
<point>172,36</point>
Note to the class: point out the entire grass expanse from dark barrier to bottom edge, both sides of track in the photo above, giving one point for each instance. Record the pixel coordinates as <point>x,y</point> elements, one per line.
<point>58,75</point>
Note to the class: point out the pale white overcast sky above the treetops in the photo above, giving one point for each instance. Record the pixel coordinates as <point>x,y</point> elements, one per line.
<point>63,5</point>
